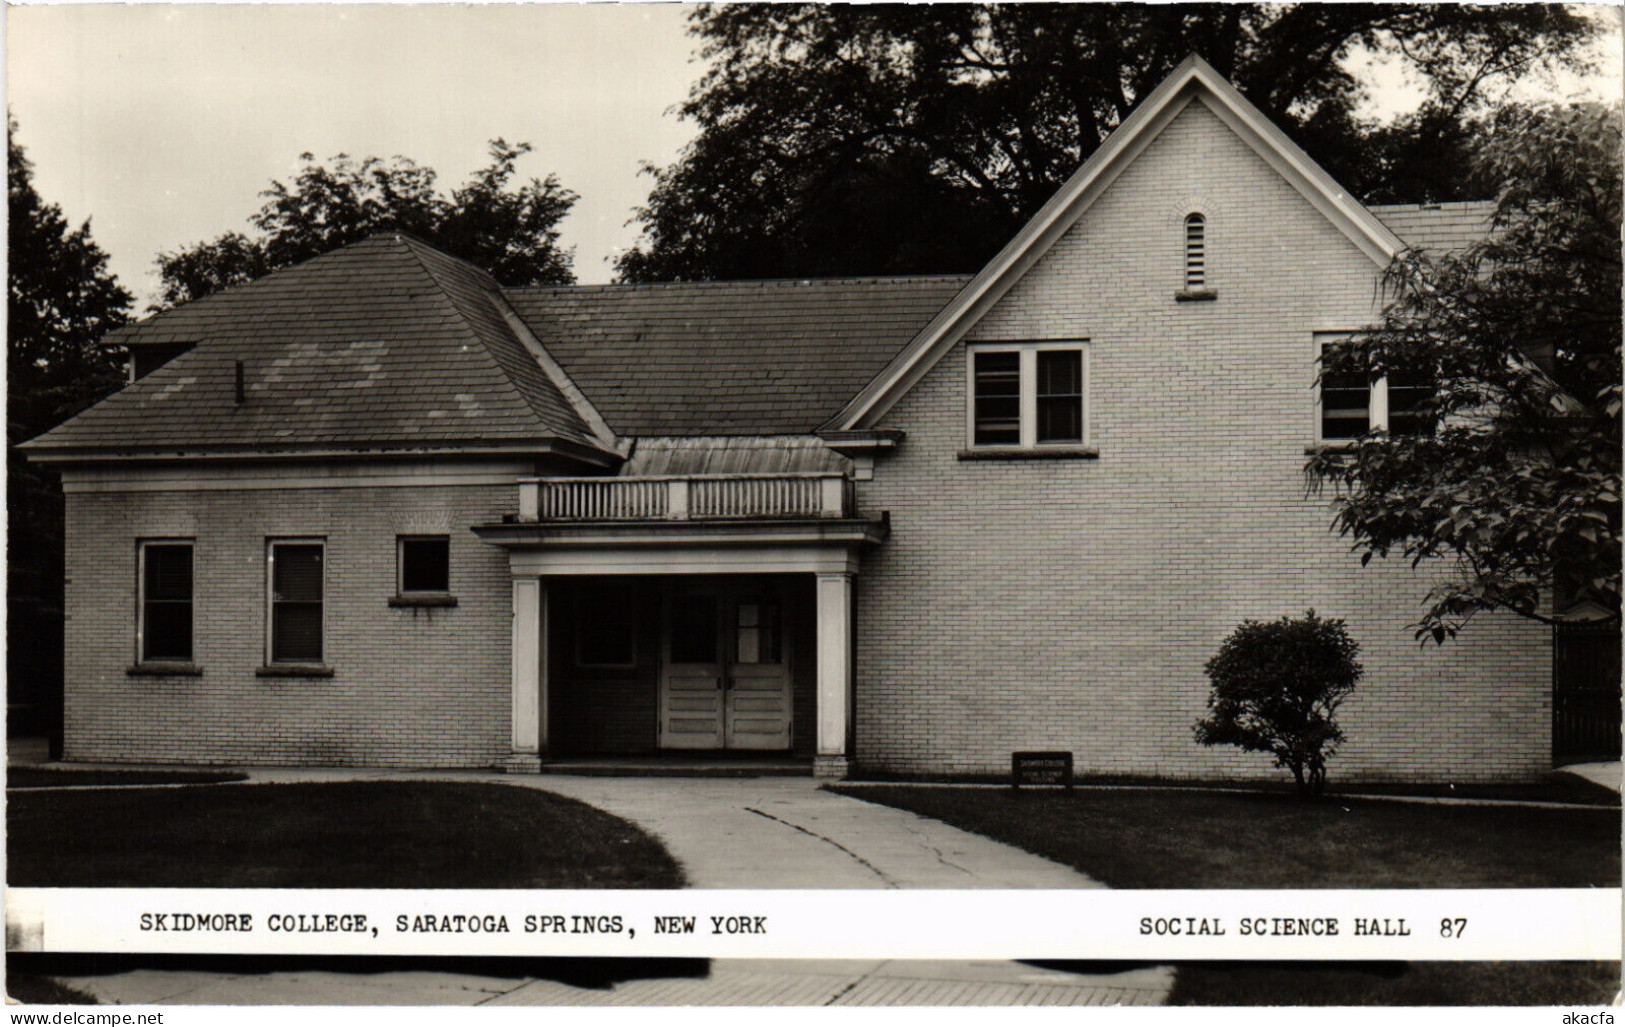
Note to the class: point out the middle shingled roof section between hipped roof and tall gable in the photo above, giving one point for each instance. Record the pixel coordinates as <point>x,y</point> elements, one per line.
<point>740,358</point>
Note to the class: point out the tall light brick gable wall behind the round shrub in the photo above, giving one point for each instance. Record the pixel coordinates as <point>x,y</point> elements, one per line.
<point>1072,604</point>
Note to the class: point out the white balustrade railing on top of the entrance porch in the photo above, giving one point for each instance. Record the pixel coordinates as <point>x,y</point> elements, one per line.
<point>685,498</point>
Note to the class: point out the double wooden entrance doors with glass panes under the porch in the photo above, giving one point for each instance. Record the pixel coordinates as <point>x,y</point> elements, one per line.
<point>726,674</point>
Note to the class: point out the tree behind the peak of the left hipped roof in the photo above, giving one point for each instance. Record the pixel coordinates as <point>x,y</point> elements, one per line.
<point>511,232</point>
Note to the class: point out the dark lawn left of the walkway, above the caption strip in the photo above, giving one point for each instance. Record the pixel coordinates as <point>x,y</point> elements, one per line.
<point>349,834</point>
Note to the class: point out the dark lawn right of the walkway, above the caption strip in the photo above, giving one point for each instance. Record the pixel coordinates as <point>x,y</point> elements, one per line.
<point>1215,839</point>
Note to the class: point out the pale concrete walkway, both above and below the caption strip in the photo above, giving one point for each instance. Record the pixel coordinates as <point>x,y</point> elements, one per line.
<point>773,833</point>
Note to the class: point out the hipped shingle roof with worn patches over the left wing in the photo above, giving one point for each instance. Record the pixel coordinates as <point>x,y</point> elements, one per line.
<point>383,345</point>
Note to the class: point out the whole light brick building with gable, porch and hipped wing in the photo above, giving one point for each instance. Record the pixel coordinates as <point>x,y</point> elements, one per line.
<point>376,509</point>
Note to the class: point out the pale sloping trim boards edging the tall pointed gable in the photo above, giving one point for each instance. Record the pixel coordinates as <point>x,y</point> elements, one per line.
<point>1195,77</point>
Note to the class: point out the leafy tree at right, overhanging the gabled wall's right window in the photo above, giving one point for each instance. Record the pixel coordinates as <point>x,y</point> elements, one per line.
<point>1517,487</point>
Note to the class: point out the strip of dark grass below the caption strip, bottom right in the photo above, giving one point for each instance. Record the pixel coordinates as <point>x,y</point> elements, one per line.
<point>1418,984</point>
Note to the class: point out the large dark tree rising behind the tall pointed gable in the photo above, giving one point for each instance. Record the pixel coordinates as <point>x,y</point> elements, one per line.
<point>909,139</point>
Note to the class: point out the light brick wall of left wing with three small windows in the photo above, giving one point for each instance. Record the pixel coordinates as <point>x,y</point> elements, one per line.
<point>420,688</point>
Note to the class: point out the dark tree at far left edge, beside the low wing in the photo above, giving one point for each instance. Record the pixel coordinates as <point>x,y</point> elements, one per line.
<point>61,301</point>
